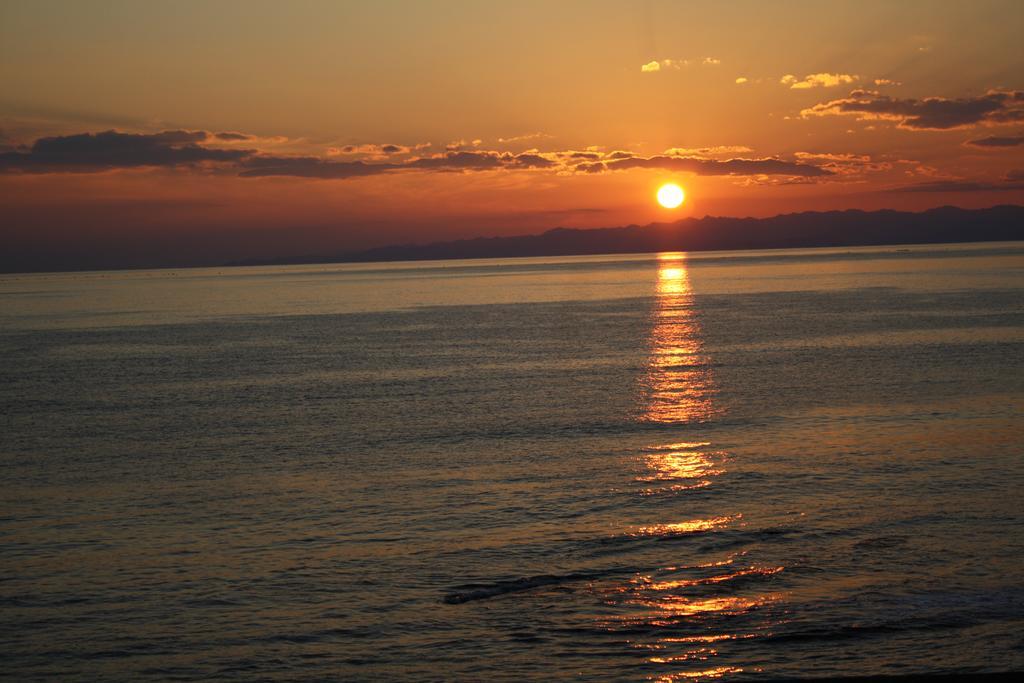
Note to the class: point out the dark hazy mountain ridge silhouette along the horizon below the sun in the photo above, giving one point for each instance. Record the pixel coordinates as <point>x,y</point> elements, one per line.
<point>831,229</point>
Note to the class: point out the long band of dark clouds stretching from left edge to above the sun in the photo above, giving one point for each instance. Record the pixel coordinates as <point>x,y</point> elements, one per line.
<point>111,150</point>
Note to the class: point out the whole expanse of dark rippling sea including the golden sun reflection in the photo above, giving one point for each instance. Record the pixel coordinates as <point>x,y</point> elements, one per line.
<point>761,464</point>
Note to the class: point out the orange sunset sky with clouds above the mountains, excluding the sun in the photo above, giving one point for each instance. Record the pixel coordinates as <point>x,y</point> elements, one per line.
<point>176,134</point>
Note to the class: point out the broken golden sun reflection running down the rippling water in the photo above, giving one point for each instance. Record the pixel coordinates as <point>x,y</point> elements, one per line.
<point>689,609</point>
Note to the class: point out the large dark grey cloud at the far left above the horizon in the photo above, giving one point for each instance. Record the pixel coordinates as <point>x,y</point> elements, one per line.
<point>98,152</point>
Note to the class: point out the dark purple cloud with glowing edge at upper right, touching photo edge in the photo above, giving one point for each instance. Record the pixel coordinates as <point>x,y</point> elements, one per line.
<point>929,114</point>
